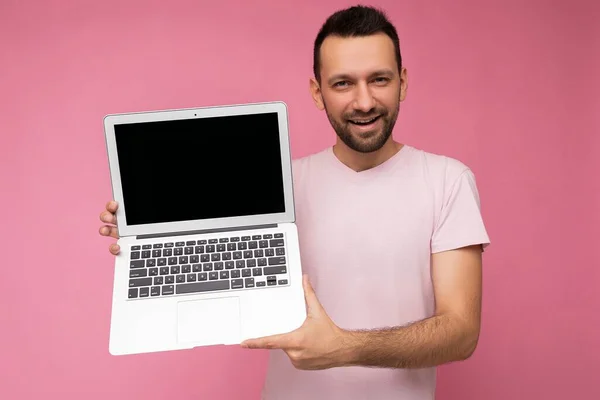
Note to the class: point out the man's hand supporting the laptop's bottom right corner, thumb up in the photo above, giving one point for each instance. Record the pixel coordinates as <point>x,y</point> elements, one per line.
<point>317,344</point>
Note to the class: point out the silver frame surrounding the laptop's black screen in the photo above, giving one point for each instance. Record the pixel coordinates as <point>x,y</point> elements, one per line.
<point>178,227</point>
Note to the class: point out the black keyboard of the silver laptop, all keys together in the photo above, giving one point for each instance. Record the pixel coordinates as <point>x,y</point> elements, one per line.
<point>196,266</point>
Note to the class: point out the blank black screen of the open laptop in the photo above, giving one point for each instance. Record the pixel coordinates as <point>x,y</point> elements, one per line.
<point>200,168</point>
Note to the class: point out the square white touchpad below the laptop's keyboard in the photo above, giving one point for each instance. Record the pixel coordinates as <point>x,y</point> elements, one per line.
<point>209,322</point>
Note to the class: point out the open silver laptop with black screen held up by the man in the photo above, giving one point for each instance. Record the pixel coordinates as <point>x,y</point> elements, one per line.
<point>209,246</point>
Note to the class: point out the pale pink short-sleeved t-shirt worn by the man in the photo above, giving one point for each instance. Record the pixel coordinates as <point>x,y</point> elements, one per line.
<point>366,241</point>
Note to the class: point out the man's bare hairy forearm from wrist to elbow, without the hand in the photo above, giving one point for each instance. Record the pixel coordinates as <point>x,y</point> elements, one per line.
<point>427,343</point>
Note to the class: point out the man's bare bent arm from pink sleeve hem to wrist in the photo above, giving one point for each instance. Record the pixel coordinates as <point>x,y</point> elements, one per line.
<point>450,335</point>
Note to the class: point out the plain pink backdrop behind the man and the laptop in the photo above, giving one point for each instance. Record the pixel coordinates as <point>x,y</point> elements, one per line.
<point>509,87</point>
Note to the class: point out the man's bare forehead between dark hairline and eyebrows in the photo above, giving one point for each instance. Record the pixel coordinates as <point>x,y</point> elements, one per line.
<point>357,55</point>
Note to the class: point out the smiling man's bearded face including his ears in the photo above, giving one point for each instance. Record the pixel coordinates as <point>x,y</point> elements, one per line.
<point>361,89</point>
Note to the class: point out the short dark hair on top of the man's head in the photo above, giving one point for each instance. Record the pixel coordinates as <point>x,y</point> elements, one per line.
<point>356,21</point>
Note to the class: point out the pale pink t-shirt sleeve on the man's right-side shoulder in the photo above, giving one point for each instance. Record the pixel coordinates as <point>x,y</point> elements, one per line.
<point>460,223</point>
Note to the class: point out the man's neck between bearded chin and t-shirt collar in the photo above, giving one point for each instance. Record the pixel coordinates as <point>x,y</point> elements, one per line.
<point>363,161</point>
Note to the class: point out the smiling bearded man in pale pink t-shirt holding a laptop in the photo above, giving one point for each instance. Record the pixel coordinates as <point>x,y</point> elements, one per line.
<point>391,237</point>
